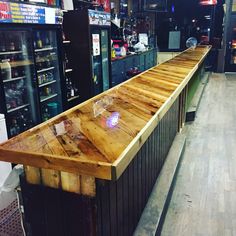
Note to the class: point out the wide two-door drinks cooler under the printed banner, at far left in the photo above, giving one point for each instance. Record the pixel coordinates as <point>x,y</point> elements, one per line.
<point>30,71</point>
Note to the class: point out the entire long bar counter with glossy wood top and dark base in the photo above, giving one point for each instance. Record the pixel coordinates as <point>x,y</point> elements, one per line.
<point>105,147</point>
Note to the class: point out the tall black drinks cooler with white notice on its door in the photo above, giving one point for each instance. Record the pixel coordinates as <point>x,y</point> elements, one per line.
<point>89,51</point>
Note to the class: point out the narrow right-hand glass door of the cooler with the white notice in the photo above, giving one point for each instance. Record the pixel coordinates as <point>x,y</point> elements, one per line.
<point>105,61</point>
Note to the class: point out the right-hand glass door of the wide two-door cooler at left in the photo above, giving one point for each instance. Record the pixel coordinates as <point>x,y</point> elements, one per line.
<point>48,73</point>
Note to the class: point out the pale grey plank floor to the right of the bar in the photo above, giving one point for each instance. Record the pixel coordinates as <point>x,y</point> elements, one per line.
<point>204,198</point>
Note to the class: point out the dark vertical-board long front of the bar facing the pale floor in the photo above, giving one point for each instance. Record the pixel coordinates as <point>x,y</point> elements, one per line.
<point>120,203</point>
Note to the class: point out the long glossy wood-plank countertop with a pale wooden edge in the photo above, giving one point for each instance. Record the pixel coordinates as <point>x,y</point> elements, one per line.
<point>100,137</point>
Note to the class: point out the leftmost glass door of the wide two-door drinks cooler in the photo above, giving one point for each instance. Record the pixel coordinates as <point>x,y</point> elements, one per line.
<point>17,73</point>
